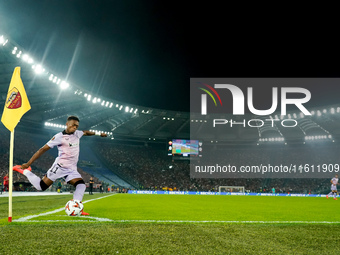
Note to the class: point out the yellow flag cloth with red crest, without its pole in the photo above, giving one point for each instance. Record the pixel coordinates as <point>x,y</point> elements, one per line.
<point>16,104</point>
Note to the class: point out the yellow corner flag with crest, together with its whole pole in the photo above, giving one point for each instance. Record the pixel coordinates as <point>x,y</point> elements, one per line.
<point>16,105</point>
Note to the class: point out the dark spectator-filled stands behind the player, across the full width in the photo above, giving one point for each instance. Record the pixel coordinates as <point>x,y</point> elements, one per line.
<point>149,167</point>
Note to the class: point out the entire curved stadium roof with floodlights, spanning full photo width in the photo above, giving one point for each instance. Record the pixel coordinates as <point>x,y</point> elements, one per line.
<point>53,99</point>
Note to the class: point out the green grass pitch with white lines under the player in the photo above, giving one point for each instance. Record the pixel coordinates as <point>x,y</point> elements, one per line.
<point>172,224</point>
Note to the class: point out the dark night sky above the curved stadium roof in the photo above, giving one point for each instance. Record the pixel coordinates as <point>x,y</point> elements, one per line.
<point>144,52</point>
